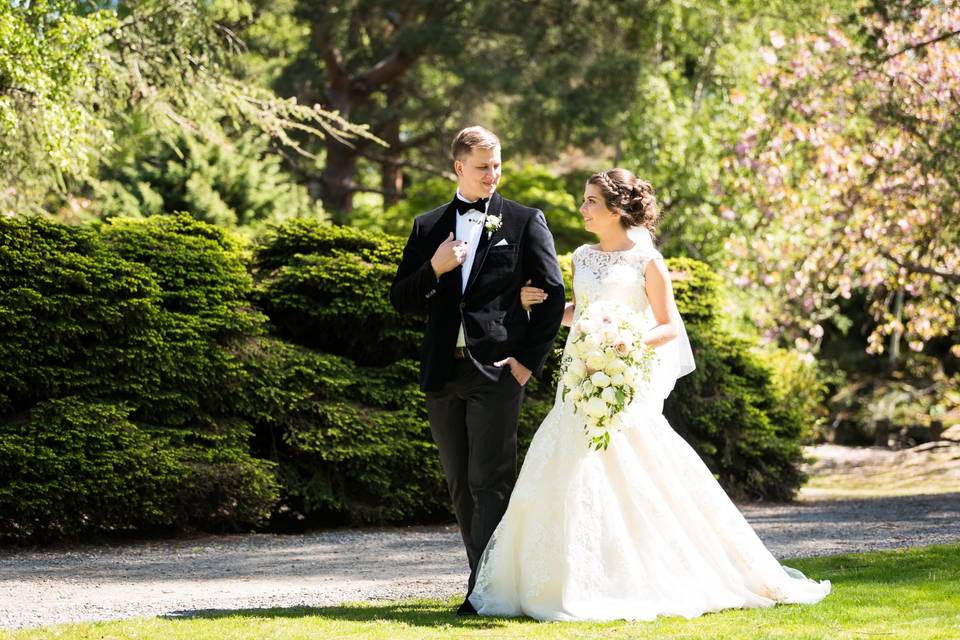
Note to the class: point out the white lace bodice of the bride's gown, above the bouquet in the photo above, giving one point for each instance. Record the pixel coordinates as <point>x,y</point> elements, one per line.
<point>610,276</point>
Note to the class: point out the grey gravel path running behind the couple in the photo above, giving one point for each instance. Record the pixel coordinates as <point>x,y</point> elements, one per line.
<point>181,576</point>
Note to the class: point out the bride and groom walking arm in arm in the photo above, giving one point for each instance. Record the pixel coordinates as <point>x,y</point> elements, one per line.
<point>633,530</point>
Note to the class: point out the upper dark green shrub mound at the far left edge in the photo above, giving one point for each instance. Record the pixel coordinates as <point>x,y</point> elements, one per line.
<point>74,319</point>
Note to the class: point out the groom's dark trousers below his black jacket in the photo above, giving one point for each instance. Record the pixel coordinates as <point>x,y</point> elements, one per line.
<point>474,423</point>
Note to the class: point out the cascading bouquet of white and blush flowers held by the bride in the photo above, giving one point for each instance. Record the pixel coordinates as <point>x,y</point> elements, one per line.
<point>604,368</point>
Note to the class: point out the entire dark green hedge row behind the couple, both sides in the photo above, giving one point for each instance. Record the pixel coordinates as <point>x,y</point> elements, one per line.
<point>160,376</point>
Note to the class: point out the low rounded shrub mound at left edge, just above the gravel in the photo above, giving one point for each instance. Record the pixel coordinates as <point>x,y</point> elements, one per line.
<point>72,466</point>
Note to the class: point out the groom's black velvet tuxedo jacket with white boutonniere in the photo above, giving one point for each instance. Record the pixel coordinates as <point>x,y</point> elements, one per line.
<point>495,324</point>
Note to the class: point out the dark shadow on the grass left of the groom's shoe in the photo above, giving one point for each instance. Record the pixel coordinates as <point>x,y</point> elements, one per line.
<point>414,613</point>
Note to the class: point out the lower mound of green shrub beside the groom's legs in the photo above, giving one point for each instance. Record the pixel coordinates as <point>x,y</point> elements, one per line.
<point>352,443</point>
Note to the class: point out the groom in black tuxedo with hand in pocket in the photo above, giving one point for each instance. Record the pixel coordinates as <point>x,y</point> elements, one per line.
<point>463,267</point>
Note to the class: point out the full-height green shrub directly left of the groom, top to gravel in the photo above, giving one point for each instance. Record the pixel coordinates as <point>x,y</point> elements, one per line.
<point>352,441</point>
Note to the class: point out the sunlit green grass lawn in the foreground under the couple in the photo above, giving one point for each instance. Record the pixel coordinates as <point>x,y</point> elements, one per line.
<point>911,593</point>
